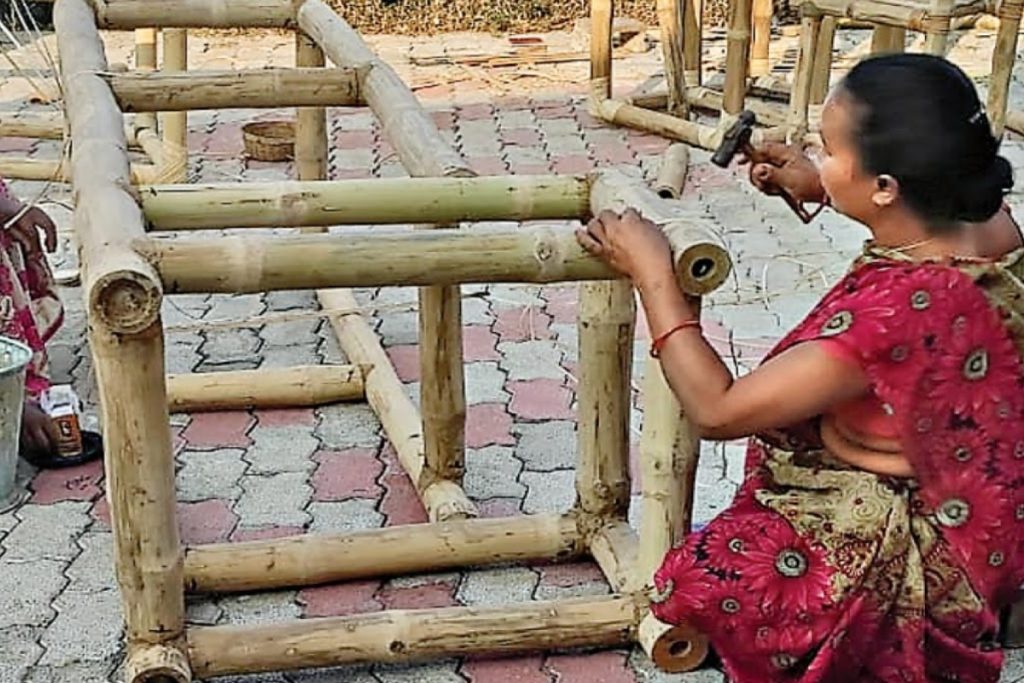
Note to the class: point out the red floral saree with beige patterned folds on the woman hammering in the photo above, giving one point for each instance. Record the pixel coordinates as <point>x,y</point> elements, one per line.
<point>823,573</point>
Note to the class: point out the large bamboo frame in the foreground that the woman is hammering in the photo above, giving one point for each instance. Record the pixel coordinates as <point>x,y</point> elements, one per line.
<point>130,267</point>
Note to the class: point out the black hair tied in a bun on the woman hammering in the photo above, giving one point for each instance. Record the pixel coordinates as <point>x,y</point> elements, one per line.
<point>919,119</point>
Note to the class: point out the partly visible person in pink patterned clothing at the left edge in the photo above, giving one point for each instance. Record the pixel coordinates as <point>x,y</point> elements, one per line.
<point>30,311</point>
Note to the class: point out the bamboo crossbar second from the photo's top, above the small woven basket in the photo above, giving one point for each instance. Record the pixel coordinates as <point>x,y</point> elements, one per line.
<point>265,89</point>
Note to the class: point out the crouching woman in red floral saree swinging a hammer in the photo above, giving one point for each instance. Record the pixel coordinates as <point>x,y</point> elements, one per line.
<point>879,529</point>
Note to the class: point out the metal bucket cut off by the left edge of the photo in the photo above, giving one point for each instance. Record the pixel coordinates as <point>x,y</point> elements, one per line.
<point>15,357</point>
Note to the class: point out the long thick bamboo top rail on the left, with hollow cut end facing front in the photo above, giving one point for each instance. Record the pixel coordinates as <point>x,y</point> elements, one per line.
<point>122,289</point>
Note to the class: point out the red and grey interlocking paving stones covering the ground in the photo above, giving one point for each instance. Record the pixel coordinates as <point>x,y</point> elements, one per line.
<point>261,475</point>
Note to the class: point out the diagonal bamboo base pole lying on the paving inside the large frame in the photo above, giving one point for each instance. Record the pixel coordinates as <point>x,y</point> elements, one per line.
<point>444,500</point>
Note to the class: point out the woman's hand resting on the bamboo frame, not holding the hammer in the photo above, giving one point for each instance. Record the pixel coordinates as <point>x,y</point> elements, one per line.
<point>631,245</point>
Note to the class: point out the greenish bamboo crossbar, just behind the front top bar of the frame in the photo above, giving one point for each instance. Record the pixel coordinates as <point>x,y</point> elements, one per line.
<point>360,202</point>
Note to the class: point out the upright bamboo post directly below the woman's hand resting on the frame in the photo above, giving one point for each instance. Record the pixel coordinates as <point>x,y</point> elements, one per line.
<point>608,315</point>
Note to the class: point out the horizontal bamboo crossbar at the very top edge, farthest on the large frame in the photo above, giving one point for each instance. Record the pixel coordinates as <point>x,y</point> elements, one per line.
<point>127,15</point>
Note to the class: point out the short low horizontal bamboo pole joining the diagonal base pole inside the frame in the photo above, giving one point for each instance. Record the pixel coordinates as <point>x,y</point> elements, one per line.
<point>243,390</point>
